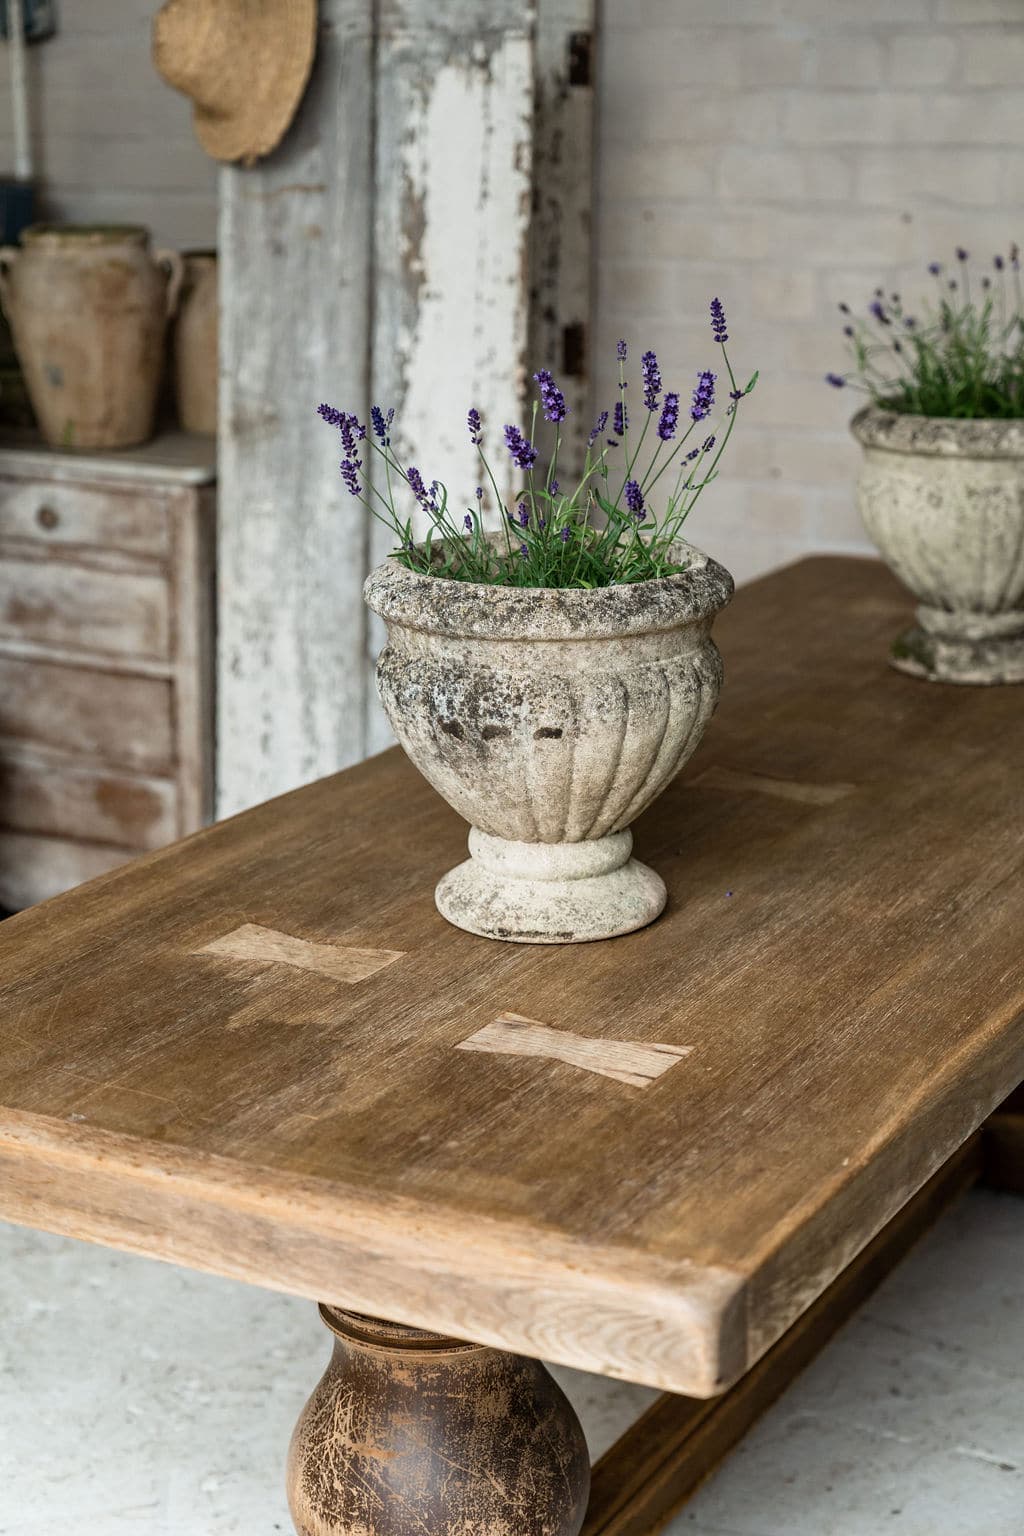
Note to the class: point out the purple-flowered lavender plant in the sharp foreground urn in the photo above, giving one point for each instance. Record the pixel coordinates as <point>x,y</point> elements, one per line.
<point>596,531</point>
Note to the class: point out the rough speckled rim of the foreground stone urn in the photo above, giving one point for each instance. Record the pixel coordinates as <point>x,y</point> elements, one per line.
<point>475,611</point>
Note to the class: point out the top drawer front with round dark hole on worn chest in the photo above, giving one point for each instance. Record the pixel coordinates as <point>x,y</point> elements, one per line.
<point>53,512</point>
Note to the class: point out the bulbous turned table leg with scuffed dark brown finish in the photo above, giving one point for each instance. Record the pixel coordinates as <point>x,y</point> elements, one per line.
<point>412,1434</point>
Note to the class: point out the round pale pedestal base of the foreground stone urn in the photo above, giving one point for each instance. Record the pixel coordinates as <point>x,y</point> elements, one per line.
<point>550,893</point>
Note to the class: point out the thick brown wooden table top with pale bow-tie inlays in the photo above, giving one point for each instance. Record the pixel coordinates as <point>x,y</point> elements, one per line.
<point>248,1053</point>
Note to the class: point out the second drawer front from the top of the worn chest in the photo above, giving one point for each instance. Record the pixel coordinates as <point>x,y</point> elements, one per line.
<point>53,603</point>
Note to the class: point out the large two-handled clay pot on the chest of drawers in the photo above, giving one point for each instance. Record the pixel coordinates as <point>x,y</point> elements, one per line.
<point>88,311</point>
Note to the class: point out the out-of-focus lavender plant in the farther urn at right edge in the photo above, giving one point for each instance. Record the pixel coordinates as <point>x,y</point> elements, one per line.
<point>963,356</point>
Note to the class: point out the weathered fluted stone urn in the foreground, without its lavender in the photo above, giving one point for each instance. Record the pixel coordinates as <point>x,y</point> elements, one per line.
<point>549,720</point>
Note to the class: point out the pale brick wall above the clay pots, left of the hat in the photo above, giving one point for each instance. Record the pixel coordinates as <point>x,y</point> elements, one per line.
<point>113,142</point>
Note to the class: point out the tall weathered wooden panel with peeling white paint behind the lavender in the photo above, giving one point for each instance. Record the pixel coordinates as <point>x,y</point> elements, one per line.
<point>398,250</point>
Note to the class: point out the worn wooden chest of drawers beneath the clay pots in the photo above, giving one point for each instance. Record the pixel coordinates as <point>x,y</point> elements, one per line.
<point>107,617</point>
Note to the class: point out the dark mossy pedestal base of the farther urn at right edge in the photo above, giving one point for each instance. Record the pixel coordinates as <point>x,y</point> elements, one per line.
<point>962,649</point>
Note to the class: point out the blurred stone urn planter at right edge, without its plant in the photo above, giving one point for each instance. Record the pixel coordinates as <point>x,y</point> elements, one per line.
<point>945,503</point>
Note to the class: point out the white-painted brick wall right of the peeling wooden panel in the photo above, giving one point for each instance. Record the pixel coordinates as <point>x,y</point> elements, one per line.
<point>788,154</point>
